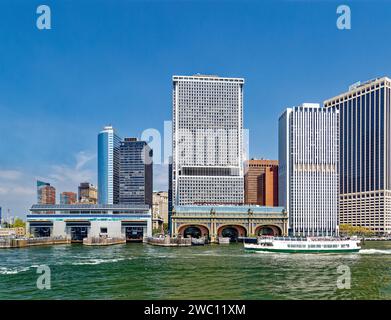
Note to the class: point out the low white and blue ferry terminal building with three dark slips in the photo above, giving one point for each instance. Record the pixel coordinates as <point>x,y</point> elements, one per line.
<point>80,221</point>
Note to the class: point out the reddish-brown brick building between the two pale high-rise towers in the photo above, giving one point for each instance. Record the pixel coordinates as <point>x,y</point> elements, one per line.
<point>261,182</point>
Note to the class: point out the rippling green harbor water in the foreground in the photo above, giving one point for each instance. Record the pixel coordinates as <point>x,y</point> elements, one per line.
<point>137,271</point>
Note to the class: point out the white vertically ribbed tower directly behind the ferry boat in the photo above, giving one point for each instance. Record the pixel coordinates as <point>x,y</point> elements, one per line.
<point>308,169</point>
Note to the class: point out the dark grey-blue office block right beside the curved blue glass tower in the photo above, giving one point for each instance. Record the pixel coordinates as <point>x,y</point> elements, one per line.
<point>135,174</point>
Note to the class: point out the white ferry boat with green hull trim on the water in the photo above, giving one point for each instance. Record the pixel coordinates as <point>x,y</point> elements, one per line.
<point>304,245</point>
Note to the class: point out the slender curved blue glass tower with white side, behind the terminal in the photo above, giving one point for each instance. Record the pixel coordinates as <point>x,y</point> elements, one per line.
<point>108,166</point>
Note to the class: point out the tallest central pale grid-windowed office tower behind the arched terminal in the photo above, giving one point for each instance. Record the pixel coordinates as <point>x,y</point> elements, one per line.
<point>207,140</point>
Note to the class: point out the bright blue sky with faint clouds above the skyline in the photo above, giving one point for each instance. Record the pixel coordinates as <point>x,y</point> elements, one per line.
<point>111,62</point>
